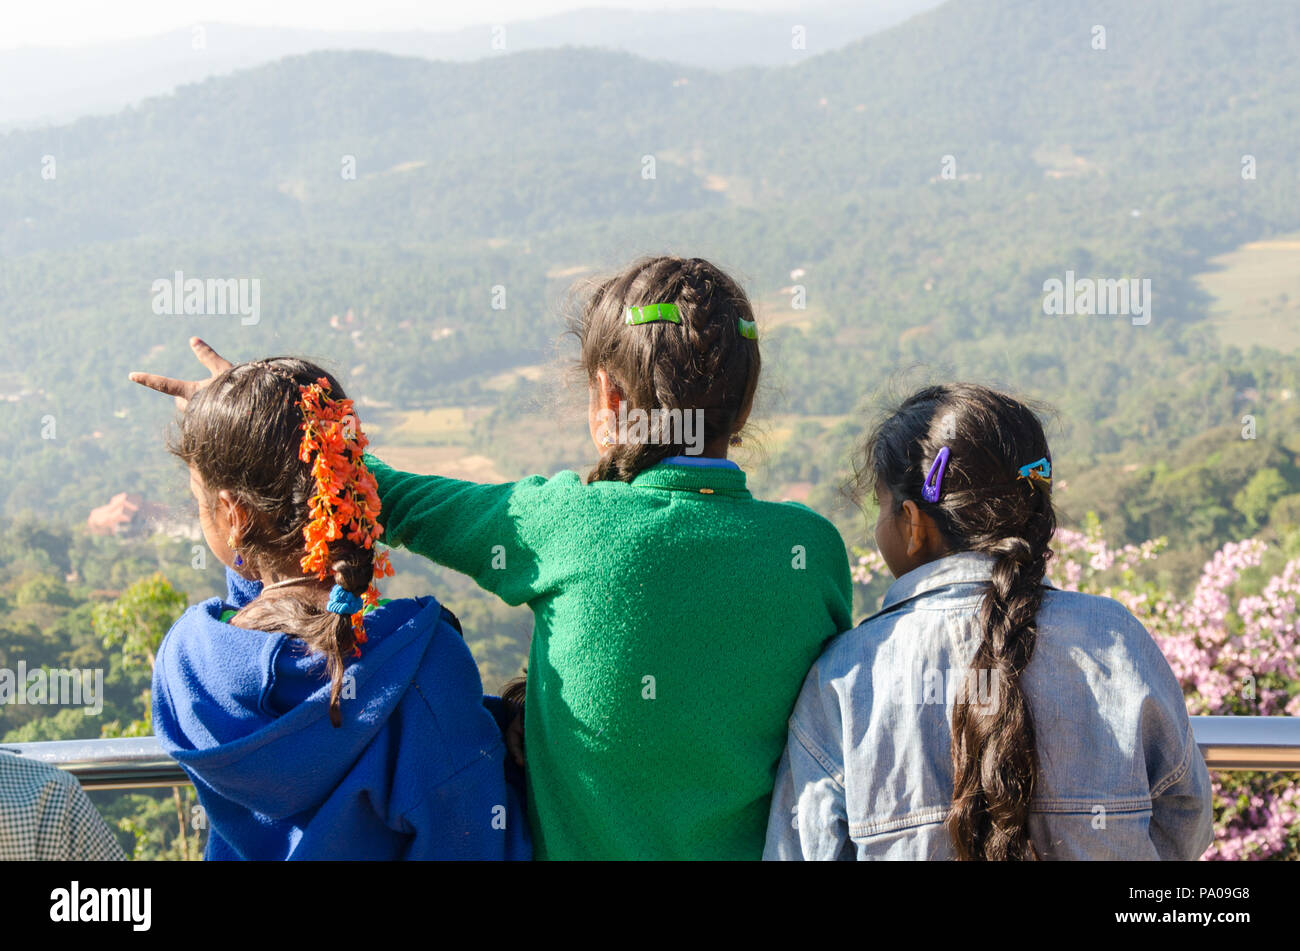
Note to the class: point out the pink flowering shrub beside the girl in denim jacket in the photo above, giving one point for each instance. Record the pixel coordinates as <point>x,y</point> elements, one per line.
<point>1234,645</point>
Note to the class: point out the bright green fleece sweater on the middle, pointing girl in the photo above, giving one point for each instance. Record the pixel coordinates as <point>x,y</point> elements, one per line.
<point>675,620</point>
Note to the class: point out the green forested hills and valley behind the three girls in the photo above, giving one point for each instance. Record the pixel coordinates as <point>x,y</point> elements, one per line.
<point>895,210</point>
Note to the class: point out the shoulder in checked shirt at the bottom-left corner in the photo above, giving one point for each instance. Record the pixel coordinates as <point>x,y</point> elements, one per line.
<point>46,817</point>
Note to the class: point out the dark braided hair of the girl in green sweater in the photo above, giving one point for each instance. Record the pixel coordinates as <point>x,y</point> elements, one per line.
<point>703,363</point>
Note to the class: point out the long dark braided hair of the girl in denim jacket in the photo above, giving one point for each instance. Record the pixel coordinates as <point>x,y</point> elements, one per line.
<point>987,507</point>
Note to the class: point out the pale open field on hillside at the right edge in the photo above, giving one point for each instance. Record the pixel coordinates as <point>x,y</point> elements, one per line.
<point>1256,293</point>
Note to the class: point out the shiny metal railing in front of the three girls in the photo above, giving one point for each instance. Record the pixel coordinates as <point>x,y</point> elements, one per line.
<point>1269,744</point>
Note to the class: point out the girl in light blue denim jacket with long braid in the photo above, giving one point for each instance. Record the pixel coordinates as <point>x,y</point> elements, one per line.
<point>982,714</point>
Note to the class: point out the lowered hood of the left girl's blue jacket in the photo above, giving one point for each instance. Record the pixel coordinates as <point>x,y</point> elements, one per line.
<point>236,706</point>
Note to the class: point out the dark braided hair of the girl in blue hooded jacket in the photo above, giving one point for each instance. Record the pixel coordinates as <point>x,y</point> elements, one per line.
<point>242,435</point>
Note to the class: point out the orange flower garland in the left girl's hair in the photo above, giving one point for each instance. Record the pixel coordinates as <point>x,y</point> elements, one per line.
<point>346,502</point>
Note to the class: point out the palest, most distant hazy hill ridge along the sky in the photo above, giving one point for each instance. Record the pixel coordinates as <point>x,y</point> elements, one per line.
<point>46,86</point>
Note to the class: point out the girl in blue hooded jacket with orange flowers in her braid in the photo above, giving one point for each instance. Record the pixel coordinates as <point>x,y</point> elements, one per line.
<point>315,720</point>
